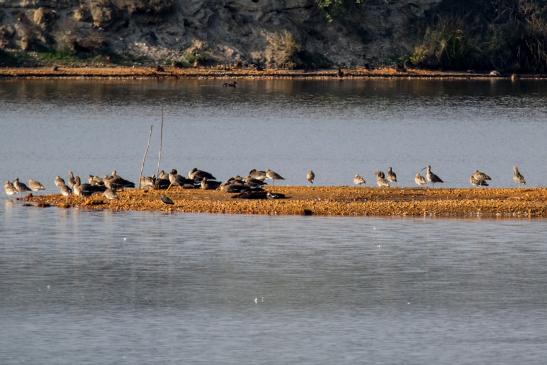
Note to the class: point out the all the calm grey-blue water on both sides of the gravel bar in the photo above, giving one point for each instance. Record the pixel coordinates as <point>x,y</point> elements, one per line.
<point>82,287</point>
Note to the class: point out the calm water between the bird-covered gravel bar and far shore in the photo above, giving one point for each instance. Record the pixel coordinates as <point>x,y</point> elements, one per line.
<point>336,128</point>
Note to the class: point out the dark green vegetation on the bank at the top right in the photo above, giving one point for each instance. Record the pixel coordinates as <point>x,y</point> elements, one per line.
<point>507,35</point>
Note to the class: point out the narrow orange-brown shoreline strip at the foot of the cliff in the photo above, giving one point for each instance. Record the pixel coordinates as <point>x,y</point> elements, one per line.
<point>120,72</point>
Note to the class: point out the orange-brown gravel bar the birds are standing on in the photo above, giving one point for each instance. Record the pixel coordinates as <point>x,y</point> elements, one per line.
<point>326,201</point>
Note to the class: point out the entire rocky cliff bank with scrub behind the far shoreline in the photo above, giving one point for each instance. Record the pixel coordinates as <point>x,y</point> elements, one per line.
<point>452,34</point>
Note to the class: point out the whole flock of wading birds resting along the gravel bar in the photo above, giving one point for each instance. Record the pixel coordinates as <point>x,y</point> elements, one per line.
<point>249,187</point>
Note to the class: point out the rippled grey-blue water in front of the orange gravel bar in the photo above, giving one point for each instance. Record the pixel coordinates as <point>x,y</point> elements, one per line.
<point>144,288</point>
